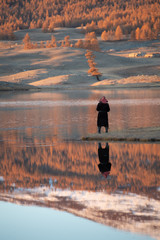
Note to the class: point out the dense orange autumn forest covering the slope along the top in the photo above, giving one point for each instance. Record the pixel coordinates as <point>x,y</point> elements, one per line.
<point>106,17</point>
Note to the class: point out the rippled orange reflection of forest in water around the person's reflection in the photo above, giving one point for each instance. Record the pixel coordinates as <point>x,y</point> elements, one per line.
<point>135,167</point>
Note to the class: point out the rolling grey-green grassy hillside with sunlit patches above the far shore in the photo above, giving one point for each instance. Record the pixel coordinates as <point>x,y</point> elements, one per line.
<point>66,67</point>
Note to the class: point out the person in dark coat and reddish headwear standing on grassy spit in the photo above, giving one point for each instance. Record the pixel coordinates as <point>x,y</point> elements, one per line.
<point>103,109</point>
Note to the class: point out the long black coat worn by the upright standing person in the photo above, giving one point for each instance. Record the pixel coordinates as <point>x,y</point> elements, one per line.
<point>103,109</point>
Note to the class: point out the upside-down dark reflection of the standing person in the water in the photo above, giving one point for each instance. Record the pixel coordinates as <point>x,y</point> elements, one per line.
<point>104,165</point>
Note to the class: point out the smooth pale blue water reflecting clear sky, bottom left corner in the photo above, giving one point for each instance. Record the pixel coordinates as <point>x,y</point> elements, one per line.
<point>50,224</point>
